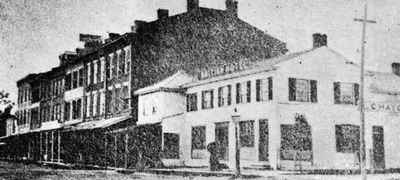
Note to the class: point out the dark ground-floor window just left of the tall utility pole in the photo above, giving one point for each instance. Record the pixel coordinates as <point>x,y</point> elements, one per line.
<point>347,138</point>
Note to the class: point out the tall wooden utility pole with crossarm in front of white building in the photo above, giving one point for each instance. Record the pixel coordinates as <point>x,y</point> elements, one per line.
<point>361,104</point>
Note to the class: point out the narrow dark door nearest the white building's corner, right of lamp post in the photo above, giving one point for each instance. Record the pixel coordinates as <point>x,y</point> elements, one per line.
<point>263,140</point>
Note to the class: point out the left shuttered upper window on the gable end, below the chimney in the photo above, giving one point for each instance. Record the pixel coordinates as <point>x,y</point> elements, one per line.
<point>302,90</point>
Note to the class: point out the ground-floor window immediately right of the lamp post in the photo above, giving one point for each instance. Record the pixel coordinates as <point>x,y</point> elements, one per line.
<point>246,129</point>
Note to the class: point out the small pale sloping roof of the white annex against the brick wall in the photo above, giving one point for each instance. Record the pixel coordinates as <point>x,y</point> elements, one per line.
<point>172,83</point>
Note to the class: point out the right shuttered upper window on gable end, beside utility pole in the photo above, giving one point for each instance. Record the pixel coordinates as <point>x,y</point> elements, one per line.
<point>346,93</point>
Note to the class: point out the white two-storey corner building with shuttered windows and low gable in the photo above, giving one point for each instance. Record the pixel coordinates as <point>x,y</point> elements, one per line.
<point>296,111</point>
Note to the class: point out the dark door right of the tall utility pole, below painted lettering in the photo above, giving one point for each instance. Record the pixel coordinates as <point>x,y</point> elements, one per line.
<point>378,147</point>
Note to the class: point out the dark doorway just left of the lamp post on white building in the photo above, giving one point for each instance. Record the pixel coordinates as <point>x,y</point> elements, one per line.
<point>221,139</point>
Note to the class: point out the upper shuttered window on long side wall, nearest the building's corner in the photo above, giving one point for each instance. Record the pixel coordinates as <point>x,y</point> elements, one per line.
<point>264,89</point>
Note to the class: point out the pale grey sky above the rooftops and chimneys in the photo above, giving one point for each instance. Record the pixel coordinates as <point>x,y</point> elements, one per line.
<point>34,32</point>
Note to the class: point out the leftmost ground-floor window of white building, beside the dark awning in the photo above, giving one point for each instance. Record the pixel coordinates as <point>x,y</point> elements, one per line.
<point>171,146</point>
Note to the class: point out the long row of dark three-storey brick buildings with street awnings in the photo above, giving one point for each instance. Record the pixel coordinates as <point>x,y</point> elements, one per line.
<point>84,110</point>
